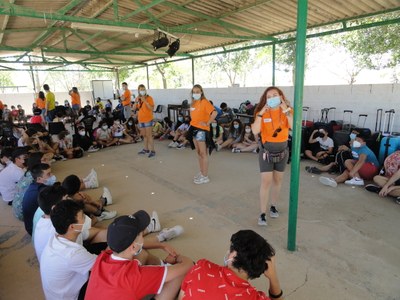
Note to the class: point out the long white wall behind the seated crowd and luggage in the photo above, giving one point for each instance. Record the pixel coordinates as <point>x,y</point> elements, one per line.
<point>362,99</point>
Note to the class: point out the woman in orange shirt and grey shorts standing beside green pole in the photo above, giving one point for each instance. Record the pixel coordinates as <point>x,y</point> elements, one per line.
<point>273,117</point>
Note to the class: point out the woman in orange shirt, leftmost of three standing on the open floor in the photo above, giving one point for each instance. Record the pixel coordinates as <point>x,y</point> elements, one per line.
<point>144,104</point>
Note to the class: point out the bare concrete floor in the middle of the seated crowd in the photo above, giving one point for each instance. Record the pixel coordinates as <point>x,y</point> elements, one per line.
<point>348,239</point>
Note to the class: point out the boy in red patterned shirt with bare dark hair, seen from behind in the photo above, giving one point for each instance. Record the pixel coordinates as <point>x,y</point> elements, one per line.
<point>249,257</point>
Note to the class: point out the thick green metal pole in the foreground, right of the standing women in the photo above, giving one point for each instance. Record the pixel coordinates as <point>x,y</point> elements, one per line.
<point>298,104</point>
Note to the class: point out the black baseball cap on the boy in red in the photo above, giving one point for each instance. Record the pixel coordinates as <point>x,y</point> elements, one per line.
<point>124,230</point>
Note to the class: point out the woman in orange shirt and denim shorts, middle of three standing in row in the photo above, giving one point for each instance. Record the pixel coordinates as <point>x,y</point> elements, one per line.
<point>202,113</point>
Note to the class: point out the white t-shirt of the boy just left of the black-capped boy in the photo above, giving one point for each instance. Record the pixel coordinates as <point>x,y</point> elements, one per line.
<point>64,268</point>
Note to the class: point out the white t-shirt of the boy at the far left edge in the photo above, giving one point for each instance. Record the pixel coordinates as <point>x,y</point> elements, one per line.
<point>8,181</point>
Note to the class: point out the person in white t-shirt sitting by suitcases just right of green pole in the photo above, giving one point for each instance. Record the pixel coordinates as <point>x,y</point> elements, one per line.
<point>319,152</point>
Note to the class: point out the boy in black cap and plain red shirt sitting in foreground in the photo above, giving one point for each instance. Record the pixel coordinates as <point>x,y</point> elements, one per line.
<point>123,273</point>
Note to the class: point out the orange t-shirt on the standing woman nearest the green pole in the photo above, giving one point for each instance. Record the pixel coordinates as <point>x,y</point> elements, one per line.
<point>272,120</point>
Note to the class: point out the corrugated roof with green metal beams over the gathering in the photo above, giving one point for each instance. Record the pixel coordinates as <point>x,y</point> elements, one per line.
<point>116,33</point>
